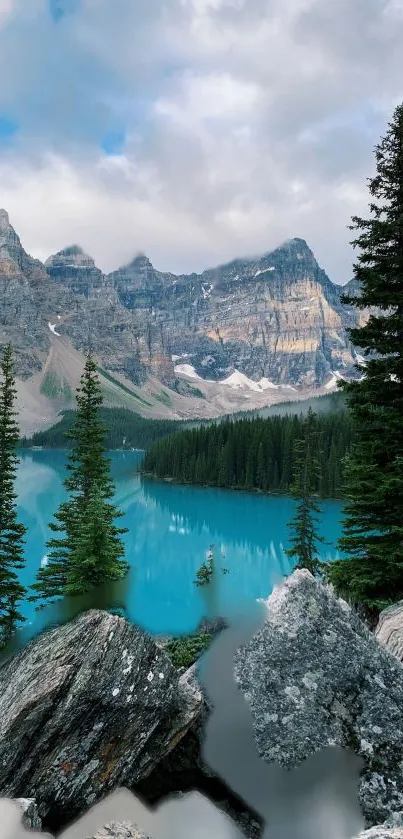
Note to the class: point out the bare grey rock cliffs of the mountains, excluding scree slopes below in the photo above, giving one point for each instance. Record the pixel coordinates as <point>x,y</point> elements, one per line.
<point>277,318</point>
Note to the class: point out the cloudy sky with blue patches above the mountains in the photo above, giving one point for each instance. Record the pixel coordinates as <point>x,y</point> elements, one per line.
<point>195,131</point>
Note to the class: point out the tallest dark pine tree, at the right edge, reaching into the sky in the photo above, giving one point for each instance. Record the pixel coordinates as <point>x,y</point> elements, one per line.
<point>372,573</point>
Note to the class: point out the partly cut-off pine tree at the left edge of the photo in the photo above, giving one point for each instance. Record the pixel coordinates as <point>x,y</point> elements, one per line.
<point>12,532</point>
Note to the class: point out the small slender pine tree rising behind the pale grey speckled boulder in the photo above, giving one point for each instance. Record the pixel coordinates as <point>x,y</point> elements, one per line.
<point>305,477</point>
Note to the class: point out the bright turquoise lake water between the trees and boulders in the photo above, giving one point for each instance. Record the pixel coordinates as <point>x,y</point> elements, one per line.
<point>170,531</point>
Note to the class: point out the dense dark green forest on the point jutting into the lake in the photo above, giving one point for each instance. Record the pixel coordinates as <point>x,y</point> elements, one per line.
<point>253,454</point>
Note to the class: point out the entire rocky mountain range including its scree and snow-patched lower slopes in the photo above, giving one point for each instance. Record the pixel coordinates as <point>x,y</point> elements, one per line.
<point>245,334</point>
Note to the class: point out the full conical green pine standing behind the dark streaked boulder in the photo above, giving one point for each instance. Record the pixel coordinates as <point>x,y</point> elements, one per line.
<point>87,550</point>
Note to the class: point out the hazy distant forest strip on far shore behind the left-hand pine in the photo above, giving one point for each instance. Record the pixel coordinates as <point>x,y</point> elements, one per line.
<point>125,430</point>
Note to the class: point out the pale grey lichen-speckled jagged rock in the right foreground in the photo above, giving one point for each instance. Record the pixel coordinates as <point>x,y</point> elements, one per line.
<point>314,676</point>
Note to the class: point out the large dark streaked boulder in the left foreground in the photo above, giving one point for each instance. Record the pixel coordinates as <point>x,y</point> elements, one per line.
<point>85,708</point>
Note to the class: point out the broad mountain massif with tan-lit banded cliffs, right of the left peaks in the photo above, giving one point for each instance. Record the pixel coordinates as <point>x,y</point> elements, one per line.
<point>278,317</point>
